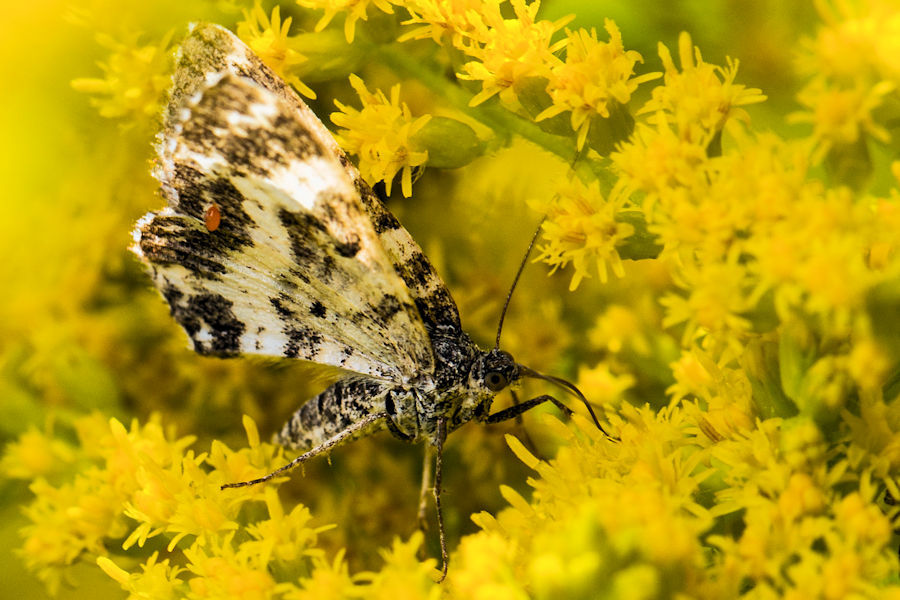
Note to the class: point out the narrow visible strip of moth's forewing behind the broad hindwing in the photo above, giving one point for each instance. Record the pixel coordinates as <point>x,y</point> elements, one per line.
<point>210,45</point>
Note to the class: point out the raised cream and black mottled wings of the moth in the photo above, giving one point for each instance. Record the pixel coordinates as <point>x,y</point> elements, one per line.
<point>297,262</point>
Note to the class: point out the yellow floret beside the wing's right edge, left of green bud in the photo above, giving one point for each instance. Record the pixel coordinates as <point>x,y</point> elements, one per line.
<point>382,135</point>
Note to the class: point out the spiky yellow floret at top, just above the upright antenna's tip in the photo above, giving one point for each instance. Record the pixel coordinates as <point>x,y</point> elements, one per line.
<point>594,76</point>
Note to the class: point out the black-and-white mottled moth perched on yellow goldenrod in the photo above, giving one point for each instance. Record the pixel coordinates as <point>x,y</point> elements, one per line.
<point>272,244</point>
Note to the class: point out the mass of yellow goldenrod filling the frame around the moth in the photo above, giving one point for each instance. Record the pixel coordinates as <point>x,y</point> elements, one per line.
<point>726,292</point>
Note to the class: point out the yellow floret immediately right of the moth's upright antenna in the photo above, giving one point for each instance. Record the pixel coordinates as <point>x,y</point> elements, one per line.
<point>582,229</point>
